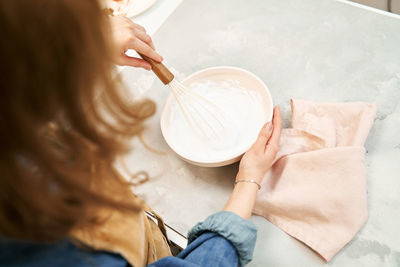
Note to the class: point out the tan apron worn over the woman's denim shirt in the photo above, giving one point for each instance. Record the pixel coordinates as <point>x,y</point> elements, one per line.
<point>131,234</point>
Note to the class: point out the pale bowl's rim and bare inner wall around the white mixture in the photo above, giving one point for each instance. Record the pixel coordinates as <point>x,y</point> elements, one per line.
<point>218,74</point>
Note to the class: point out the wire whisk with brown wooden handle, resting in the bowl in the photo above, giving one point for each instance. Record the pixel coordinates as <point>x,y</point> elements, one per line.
<point>203,116</point>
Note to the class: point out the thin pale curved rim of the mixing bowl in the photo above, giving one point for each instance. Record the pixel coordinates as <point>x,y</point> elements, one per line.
<point>230,159</point>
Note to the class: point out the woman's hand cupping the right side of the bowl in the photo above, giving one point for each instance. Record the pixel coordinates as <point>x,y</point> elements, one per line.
<point>259,158</point>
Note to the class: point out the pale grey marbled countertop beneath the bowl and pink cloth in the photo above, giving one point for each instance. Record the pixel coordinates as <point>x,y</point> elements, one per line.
<point>315,50</point>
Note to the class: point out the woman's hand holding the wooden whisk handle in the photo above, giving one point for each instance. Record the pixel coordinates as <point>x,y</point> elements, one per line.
<point>129,35</point>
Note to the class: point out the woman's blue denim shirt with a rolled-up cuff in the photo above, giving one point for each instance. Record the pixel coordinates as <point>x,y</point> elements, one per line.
<point>223,239</point>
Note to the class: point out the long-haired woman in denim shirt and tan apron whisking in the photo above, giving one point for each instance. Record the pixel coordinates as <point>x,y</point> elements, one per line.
<point>63,122</point>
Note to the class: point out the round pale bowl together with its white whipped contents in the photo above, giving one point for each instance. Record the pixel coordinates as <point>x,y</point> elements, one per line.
<point>245,102</point>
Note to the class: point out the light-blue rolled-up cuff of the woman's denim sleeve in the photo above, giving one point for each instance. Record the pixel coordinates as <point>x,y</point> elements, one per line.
<point>241,233</point>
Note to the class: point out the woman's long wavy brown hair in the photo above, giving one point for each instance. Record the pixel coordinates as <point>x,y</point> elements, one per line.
<point>62,118</point>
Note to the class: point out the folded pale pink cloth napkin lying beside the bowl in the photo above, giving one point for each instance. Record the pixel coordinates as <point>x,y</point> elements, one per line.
<point>316,189</point>
